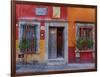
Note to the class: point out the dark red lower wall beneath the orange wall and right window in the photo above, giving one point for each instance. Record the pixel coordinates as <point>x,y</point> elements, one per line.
<point>85,57</point>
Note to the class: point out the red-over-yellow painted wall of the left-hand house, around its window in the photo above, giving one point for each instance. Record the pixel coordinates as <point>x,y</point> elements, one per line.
<point>28,11</point>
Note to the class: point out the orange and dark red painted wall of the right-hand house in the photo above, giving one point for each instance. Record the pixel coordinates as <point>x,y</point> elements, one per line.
<point>82,15</point>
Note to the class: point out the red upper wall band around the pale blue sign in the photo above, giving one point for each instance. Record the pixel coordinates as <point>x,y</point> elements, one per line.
<point>29,11</point>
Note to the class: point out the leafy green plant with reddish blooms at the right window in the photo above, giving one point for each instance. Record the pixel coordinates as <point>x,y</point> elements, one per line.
<point>84,44</point>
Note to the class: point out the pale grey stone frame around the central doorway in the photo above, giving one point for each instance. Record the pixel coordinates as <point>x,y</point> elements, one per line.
<point>56,24</point>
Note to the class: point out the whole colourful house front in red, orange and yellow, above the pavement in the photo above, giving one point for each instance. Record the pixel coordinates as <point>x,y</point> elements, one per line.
<point>49,34</point>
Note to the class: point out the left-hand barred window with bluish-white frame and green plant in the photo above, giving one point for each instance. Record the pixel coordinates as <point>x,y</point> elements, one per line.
<point>29,38</point>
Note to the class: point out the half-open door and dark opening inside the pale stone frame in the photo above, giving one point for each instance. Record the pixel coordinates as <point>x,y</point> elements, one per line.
<point>56,42</point>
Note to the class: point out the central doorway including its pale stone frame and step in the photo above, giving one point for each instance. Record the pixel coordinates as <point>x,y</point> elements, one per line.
<point>56,43</point>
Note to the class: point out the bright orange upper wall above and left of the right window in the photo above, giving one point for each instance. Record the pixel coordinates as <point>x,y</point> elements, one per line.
<point>77,14</point>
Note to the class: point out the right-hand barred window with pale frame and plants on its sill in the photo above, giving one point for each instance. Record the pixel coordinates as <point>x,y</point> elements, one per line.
<point>85,36</point>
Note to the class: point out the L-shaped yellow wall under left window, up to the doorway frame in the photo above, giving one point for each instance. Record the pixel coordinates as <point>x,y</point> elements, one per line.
<point>39,56</point>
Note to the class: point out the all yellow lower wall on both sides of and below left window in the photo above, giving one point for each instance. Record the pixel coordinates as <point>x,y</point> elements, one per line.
<point>28,57</point>
